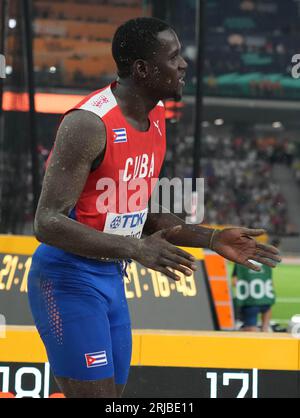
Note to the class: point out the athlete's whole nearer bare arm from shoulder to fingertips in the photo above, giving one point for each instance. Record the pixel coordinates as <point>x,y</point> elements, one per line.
<point>80,139</point>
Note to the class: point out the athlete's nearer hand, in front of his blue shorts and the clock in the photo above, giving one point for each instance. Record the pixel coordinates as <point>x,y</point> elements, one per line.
<point>156,253</point>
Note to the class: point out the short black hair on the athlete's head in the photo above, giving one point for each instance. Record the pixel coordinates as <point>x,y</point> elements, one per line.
<point>136,39</point>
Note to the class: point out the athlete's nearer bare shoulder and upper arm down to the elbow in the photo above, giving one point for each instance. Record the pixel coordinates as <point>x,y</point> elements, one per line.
<point>80,139</point>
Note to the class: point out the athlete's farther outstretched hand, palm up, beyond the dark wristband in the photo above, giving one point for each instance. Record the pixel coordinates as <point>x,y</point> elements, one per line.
<point>237,244</point>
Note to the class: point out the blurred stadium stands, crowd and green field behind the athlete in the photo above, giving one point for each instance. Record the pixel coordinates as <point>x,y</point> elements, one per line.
<point>237,126</point>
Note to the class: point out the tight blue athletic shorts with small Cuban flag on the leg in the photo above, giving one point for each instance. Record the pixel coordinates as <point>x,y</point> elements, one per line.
<point>80,310</point>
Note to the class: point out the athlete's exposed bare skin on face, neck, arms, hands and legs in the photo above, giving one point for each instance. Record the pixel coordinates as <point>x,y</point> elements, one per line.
<point>81,139</point>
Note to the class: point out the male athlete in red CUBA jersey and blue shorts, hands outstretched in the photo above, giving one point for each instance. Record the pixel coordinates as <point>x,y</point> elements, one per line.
<point>75,285</point>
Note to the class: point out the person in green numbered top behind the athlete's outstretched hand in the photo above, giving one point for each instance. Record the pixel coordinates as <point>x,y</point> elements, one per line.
<point>254,295</point>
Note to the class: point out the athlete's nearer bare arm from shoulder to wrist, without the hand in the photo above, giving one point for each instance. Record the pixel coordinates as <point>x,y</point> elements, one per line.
<point>80,139</point>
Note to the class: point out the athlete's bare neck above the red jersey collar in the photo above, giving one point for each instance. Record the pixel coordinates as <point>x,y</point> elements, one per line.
<point>134,100</point>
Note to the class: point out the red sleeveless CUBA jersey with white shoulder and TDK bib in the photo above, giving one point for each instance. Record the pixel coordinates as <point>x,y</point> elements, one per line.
<point>116,194</point>
